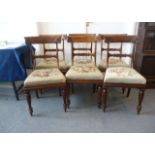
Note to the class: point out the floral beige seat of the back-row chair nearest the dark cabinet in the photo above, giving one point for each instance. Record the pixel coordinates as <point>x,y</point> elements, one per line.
<point>113,62</point>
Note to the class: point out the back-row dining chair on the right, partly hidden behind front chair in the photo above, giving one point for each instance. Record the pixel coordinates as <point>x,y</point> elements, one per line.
<point>114,48</point>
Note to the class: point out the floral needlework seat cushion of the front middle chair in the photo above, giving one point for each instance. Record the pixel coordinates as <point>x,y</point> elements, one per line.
<point>84,73</point>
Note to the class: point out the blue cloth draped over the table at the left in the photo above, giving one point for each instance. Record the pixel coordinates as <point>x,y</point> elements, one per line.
<point>11,66</point>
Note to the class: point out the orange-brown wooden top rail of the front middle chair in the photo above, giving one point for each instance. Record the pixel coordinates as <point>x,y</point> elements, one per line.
<point>82,39</point>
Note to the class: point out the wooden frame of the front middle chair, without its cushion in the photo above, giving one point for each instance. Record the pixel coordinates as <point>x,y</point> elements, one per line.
<point>88,39</point>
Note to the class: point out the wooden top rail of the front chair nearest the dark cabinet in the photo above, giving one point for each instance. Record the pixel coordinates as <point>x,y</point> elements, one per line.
<point>123,39</point>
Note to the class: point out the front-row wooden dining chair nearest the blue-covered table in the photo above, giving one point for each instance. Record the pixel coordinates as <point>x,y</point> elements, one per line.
<point>44,78</point>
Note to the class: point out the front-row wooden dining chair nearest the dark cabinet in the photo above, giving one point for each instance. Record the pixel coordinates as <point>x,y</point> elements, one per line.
<point>122,76</point>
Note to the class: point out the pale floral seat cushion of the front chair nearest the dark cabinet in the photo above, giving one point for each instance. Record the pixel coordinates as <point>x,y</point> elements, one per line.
<point>123,75</point>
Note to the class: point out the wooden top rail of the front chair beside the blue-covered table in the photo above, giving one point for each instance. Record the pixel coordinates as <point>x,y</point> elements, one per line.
<point>43,39</point>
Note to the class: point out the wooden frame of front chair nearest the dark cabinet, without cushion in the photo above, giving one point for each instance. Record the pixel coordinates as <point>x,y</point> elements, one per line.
<point>123,39</point>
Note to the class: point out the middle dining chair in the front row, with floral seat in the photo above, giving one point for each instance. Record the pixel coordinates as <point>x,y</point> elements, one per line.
<point>84,46</point>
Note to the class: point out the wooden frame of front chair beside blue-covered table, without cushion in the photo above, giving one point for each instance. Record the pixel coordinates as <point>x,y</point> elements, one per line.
<point>40,40</point>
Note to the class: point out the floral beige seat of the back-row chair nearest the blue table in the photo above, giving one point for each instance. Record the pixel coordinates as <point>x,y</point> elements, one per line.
<point>52,63</point>
